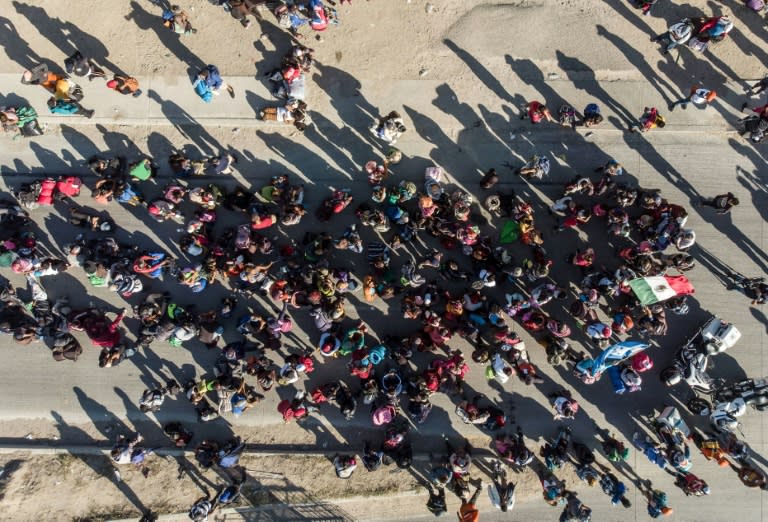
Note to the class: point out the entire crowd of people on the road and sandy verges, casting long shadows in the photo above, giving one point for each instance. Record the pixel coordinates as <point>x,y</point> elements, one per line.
<point>472,290</point>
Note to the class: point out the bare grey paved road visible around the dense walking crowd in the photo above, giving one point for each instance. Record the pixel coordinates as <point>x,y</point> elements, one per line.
<point>696,155</point>
